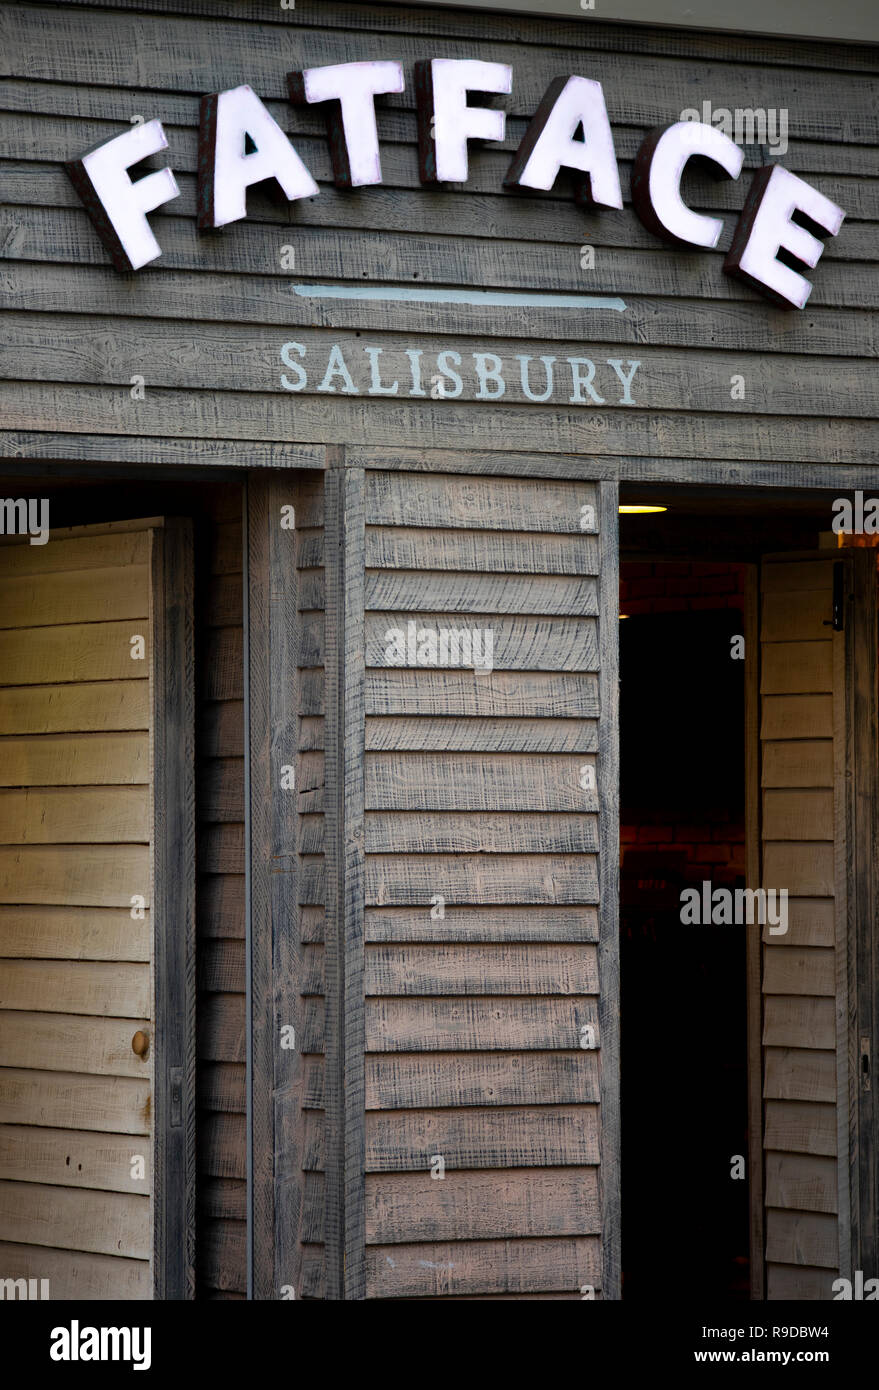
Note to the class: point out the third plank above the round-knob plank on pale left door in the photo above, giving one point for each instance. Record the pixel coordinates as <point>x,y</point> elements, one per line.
<point>104,876</point>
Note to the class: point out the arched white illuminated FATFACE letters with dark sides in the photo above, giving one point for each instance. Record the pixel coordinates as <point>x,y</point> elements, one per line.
<point>241,145</point>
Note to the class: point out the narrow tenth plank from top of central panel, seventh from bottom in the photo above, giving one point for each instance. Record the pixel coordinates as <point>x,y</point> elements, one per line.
<point>503,925</point>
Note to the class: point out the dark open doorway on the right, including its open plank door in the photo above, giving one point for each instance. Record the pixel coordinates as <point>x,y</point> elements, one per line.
<point>738,671</point>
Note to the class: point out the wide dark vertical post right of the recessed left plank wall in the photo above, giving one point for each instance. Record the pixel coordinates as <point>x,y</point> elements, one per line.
<point>275,947</point>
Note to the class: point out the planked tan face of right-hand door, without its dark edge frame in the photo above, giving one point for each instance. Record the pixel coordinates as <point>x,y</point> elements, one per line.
<point>803,751</point>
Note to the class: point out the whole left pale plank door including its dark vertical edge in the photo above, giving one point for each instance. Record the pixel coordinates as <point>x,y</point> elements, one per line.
<point>97,913</point>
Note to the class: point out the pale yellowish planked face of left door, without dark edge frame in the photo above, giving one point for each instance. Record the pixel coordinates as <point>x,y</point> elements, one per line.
<point>76,825</point>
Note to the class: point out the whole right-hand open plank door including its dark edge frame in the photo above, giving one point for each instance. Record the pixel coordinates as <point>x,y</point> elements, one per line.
<point>817,755</point>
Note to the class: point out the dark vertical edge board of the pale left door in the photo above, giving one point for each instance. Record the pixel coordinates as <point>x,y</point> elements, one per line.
<point>173,908</point>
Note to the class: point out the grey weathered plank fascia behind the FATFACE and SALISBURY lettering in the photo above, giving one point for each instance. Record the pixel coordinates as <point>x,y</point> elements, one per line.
<point>80,74</point>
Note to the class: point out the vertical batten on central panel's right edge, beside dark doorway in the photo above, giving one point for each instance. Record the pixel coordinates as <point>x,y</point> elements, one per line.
<point>608,879</point>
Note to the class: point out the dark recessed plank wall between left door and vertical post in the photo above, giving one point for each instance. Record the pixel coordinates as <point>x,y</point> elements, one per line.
<point>220,904</point>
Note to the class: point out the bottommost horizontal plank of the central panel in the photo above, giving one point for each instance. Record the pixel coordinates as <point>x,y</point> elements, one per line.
<point>482,1267</point>
